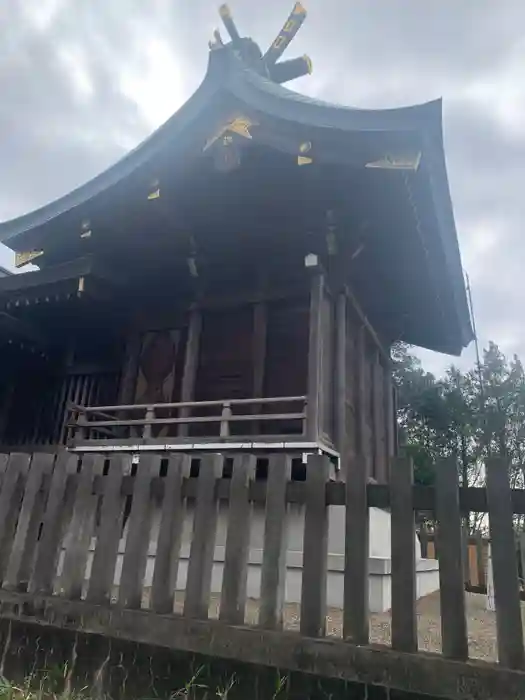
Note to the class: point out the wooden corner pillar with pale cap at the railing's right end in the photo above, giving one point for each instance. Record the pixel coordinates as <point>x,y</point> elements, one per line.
<point>315,340</point>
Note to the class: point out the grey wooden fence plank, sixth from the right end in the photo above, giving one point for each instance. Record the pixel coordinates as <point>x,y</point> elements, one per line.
<point>273,571</point>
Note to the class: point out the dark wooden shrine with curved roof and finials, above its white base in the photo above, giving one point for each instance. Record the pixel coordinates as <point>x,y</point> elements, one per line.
<point>238,279</point>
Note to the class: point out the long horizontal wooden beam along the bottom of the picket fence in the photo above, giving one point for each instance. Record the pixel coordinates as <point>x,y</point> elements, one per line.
<point>421,674</point>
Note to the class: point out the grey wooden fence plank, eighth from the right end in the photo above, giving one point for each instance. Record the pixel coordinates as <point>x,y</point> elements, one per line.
<point>198,582</point>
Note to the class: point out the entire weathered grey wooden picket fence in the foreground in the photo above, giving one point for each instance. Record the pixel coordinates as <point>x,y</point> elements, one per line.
<point>54,510</point>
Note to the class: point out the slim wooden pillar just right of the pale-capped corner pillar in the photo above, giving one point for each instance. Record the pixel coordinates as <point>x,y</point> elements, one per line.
<point>341,381</point>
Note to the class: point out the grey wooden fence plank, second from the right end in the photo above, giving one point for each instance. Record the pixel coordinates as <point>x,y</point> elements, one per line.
<point>452,590</point>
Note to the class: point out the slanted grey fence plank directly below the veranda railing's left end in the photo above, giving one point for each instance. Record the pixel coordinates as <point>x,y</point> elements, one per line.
<point>55,516</point>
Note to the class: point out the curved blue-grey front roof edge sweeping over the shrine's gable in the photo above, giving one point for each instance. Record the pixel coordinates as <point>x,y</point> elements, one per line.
<point>228,74</point>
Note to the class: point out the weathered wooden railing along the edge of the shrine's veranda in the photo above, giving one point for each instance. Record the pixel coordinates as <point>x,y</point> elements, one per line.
<point>140,420</point>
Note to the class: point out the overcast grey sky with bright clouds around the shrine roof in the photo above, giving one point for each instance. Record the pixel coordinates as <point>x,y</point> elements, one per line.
<point>82,82</point>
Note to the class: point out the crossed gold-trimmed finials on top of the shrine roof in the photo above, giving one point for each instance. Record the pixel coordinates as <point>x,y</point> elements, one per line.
<point>267,64</point>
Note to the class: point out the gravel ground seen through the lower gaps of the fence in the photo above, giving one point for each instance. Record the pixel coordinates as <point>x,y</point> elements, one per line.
<point>481,623</point>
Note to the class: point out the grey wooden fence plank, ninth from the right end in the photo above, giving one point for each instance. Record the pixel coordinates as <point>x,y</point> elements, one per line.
<point>170,534</point>
